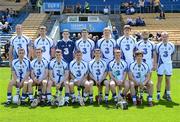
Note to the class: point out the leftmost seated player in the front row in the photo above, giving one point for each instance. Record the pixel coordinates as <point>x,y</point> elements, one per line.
<point>20,76</point>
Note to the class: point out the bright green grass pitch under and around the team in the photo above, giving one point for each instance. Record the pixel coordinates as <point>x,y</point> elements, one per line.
<point>162,111</point>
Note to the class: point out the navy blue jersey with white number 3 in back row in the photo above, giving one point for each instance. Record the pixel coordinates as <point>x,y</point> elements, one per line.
<point>67,48</point>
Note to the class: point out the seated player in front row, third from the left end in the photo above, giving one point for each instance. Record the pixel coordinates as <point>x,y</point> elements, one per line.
<point>58,76</point>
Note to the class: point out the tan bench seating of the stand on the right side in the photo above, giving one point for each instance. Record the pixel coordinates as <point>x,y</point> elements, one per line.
<point>170,24</point>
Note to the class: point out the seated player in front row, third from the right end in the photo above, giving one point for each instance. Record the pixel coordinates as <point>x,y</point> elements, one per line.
<point>98,73</point>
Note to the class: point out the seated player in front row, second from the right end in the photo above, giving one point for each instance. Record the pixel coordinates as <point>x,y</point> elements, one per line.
<point>118,73</point>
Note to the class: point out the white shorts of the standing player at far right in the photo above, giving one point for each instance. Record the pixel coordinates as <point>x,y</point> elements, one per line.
<point>165,68</point>
